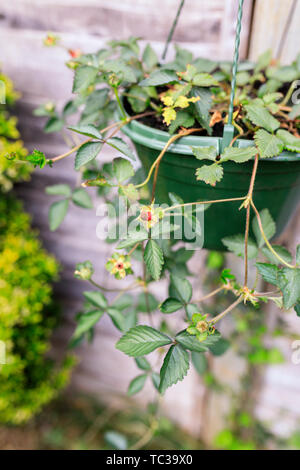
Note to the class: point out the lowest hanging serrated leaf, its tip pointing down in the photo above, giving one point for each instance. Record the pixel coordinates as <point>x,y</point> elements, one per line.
<point>175,367</point>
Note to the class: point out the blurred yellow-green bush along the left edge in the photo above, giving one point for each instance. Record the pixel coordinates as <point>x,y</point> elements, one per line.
<point>28,379</point>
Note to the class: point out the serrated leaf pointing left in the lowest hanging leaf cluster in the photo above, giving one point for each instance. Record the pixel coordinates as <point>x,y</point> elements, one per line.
<point>142,340</point>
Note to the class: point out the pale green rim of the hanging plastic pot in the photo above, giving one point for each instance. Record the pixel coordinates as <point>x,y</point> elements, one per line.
<point>157,139</point>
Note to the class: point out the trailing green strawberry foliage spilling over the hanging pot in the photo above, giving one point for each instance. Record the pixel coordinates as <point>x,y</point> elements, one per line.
<point>124,83</point>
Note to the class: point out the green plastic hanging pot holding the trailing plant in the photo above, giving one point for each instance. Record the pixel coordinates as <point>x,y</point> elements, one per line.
<point>277,185</point>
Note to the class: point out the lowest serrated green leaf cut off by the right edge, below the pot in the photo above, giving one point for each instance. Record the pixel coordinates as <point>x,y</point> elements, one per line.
<point>289,284</point>
